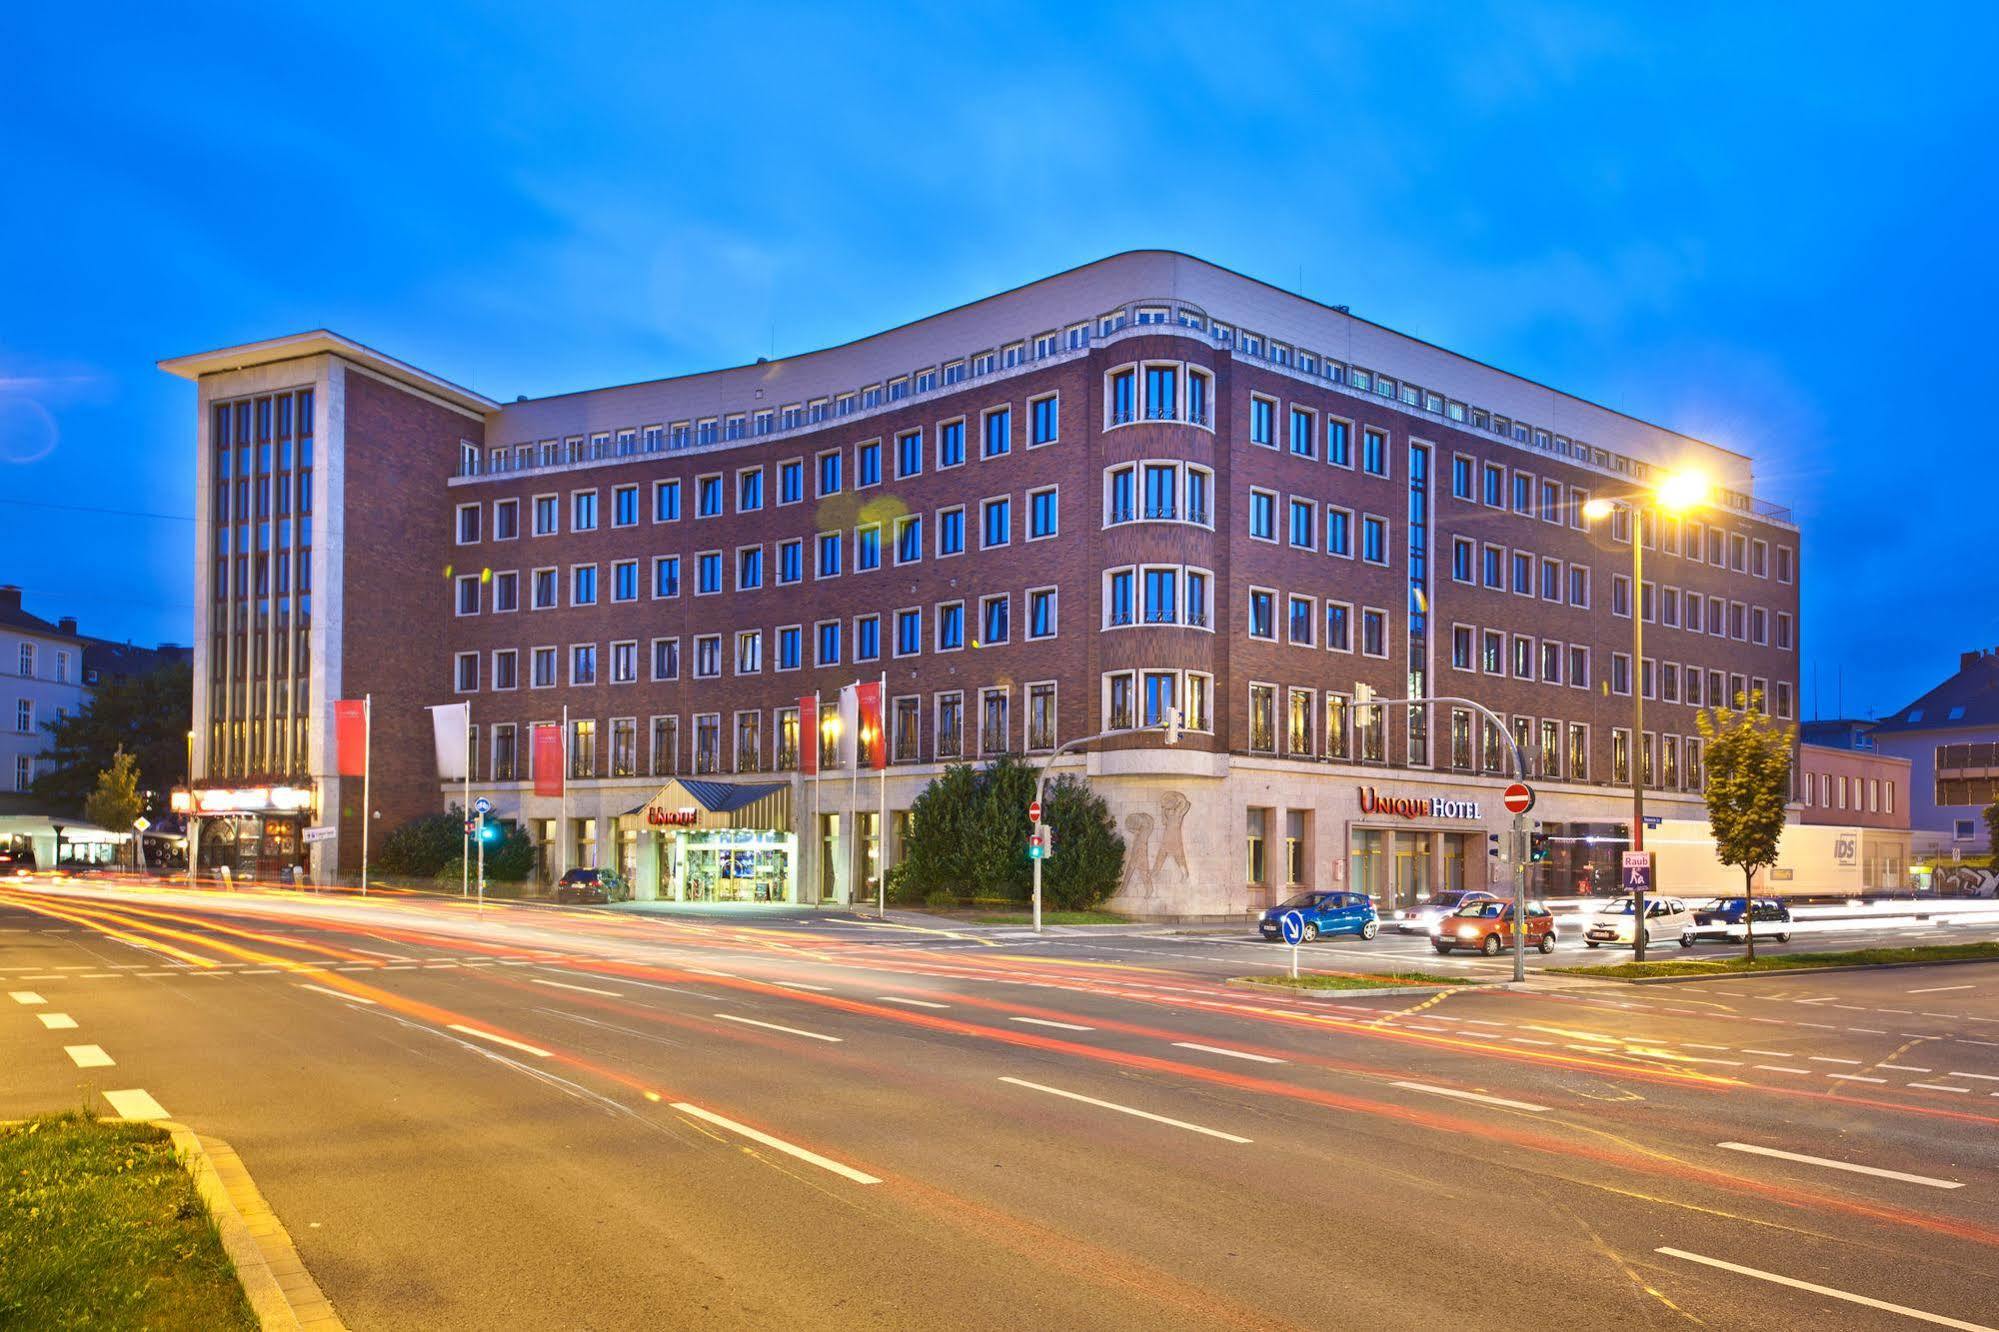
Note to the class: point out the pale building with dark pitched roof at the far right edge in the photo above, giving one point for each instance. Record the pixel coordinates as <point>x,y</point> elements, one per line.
<point>1952,743</point>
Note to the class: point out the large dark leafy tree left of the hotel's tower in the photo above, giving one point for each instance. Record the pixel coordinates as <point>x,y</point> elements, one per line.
<point>147,717</point>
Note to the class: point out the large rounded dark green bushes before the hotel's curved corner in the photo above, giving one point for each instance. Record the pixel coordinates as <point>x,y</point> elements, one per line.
<point>969,837</point>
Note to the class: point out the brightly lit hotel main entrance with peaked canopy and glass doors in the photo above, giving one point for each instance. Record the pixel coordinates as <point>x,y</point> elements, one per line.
<point>715,843</point>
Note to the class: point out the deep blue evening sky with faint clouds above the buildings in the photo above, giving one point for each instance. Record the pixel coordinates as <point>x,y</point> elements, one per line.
<point>1762,225</point>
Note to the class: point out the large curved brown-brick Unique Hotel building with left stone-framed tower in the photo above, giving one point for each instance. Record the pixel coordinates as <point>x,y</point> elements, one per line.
<point>1056,511</point>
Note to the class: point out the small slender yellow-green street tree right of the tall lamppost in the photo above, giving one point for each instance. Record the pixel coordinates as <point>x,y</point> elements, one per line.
<point>1748,785</point>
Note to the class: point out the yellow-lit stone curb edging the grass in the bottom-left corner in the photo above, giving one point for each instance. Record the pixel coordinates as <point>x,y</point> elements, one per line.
<point>275,1281</point>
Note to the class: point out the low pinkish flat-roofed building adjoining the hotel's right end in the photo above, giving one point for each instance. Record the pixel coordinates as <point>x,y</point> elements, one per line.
<point>1864,797</point>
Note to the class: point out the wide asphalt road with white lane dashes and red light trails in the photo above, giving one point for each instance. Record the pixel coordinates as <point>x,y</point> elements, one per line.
<point>581,1119</point>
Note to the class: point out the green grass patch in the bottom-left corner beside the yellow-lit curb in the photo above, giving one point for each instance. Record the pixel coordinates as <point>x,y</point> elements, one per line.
<point>103,1229</point>
